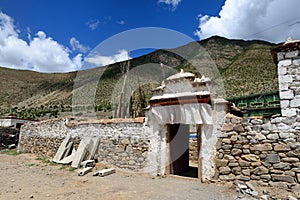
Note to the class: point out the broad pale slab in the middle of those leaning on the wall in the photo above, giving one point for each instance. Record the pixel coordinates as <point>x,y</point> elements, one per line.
<point>81,152</point>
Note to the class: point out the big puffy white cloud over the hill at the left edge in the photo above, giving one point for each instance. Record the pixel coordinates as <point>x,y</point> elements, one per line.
<point>41,53</point>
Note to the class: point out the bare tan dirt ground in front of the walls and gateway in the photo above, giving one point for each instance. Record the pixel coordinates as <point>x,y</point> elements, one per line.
<point>27,176</point>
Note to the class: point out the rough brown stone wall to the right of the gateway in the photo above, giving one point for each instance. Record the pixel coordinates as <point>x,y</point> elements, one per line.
<point>265,150</point>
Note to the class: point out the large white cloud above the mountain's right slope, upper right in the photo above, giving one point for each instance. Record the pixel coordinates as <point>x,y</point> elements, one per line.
<point>270,20</point>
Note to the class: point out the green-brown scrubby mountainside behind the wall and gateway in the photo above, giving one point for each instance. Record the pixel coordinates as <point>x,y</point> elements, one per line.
<point>246,67</point>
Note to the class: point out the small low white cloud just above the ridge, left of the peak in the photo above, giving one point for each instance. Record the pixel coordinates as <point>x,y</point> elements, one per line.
<point>99,60</point>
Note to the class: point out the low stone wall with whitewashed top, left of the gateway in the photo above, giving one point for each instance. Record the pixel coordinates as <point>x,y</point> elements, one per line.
<point>125,145</point>
